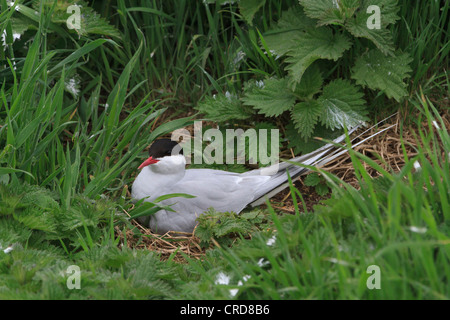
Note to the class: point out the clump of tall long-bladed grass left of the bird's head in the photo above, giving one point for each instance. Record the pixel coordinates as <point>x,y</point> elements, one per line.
<point>66,142</point>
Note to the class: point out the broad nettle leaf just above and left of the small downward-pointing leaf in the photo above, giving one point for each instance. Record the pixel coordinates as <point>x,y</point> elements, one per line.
<point>272,98</point>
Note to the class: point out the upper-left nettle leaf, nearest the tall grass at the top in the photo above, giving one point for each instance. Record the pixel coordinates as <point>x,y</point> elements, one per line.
<point>290,28</point>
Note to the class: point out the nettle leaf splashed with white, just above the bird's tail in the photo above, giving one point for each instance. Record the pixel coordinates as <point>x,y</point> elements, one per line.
<point>343,105</point>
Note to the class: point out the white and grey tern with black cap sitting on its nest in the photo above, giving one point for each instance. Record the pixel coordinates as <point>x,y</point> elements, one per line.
<point>164,172</point>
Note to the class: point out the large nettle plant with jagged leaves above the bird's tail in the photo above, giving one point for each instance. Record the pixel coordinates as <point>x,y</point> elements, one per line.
<point>305,36</point>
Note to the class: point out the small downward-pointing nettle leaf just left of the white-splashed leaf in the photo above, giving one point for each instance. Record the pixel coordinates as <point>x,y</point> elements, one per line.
<point>306,115</point>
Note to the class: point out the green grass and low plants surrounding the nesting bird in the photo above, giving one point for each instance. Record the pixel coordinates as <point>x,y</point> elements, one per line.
<point>67,161</point>
